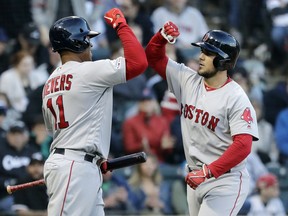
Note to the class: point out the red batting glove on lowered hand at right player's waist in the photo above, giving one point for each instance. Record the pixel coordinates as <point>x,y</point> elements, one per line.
<point>196,177</point>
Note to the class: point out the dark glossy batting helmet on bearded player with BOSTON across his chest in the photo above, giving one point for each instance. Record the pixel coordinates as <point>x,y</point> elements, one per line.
<point>224,45</point>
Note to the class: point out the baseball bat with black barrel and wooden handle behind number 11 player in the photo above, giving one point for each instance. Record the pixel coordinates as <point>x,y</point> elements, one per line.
<point>112,164</point>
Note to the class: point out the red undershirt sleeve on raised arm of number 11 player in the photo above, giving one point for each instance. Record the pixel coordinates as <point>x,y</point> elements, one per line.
<point>136,61</point>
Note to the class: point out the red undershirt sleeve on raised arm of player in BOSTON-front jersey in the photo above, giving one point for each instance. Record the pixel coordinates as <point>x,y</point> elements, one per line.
<point>156,54</point>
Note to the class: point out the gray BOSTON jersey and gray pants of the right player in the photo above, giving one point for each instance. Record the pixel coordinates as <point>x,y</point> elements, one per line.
<point>209,120</point>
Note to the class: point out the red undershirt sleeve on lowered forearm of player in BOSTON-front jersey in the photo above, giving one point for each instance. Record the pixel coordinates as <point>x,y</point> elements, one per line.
<point>237,152</point>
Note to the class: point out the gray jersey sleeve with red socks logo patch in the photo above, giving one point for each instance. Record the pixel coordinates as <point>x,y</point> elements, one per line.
<point>242,116</point>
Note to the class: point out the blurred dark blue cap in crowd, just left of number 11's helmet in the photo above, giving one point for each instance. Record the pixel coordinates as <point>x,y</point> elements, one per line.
<point>31,33</point>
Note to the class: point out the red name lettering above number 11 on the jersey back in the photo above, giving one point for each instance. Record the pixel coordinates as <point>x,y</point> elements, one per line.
<point>58,83</point>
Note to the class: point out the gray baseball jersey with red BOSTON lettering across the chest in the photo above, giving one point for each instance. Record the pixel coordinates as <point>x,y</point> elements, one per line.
<point>209,119</point>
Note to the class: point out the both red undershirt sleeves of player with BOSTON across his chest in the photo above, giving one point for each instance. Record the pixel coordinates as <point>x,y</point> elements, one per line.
<point>241,146</point>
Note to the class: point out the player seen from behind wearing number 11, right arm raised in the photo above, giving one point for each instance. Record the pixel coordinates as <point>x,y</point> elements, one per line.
<point>77,108</point>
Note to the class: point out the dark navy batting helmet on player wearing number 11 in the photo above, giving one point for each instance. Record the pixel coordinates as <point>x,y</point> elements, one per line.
<point>70,33</point>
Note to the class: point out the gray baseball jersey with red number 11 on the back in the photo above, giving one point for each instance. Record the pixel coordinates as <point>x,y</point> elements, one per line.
<point>77,104</point>
